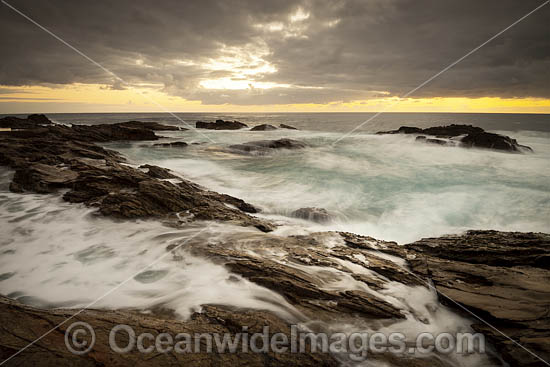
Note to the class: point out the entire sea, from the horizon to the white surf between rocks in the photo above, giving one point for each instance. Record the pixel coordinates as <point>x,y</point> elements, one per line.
<point>390,187</point>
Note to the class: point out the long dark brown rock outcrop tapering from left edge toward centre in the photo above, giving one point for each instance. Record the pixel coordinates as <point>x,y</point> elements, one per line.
<point>61,157</point>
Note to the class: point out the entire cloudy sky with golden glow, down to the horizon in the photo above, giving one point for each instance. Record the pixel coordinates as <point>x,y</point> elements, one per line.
<point>274,56</point>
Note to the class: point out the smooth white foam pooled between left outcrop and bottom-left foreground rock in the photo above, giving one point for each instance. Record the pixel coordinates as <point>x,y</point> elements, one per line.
<point>58,254</point>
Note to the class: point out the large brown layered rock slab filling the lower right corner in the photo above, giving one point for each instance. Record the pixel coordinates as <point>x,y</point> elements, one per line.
<point>502,277</point>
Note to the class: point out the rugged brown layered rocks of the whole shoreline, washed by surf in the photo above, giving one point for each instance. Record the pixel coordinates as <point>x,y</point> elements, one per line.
<point>502,277</point>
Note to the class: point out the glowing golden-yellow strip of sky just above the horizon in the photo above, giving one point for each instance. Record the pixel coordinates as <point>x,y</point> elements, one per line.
<point>99,98</point>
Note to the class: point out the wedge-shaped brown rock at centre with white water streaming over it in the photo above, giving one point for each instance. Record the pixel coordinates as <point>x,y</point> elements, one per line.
<point>296,274</point>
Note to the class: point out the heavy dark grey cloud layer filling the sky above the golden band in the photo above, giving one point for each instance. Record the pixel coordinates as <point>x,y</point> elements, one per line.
<point>343,50</point>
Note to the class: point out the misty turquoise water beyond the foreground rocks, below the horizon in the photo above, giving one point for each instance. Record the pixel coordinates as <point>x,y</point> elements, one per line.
<point>388,187</point>
